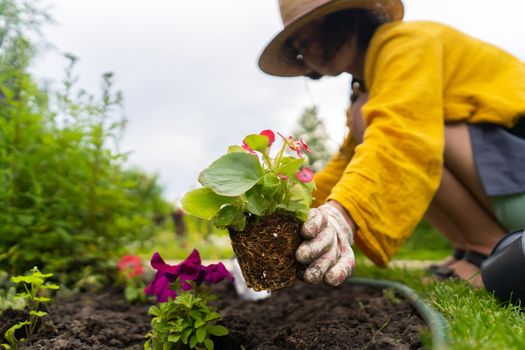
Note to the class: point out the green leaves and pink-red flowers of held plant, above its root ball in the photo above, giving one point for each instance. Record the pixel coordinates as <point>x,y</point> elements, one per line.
<point>250,180</point>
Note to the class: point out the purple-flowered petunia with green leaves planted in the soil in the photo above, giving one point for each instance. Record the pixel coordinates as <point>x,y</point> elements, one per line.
<point>183,318</point>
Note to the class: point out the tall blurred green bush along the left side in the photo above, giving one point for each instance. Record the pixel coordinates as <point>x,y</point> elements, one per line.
<point>67,201</point>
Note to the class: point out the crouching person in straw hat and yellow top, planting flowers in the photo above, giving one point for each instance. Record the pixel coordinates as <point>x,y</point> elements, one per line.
<point>436,130</point>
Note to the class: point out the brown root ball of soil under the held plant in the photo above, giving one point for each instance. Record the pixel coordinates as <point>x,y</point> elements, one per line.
<point>266,252</point>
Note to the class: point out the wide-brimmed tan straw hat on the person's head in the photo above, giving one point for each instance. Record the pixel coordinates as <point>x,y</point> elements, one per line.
<point>295,14</point>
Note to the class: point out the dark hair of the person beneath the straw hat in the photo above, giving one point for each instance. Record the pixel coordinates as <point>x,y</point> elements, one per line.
<point>339,27</point>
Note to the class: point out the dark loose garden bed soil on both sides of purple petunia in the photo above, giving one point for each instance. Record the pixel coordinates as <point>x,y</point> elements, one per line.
<point>299,317</point>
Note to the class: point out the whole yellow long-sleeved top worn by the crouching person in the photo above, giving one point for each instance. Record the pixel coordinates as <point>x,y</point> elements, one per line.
<point>420,75</point>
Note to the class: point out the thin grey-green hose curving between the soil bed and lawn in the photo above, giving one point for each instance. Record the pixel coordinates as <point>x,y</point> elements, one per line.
<point>435,321</point>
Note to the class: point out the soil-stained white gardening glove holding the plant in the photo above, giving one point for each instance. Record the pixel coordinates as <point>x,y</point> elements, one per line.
<point>327,248</point>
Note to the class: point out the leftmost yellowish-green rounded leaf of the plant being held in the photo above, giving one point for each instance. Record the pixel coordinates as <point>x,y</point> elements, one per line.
<point>204,203</point>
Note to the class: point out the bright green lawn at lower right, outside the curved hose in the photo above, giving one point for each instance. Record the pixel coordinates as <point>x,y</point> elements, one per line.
<point>476,319</point>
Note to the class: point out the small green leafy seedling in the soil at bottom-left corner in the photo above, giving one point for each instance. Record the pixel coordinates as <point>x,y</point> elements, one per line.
<point>34,294</point>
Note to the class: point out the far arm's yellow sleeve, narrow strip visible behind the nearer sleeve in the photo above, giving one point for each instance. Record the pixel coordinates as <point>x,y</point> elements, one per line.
<point>326,178</point>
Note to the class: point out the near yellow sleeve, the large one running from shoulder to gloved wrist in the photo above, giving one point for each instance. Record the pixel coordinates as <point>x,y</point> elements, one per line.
<point>395,172</point>
